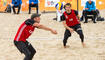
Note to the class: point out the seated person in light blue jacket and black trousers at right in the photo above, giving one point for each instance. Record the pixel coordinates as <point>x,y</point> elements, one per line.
<point>90,9</point>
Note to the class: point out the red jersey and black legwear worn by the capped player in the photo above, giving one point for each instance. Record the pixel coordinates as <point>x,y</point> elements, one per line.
<point>23,33</point>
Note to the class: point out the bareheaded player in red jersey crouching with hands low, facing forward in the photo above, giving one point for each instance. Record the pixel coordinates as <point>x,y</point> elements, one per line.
<point>71,22</point>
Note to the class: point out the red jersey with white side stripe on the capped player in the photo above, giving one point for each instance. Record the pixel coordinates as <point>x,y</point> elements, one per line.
<point>25,30</point>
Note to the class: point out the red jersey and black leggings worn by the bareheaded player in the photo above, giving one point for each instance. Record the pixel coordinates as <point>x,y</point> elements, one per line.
<point>72,21</point>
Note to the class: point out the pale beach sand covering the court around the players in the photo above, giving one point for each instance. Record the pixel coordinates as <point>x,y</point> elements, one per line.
<point>49,46</point>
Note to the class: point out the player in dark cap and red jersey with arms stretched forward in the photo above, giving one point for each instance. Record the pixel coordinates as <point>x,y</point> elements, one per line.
<point>24,31</point>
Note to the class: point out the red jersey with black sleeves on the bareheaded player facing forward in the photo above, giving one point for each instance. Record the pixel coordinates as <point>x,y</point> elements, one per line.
<point>71,19</point>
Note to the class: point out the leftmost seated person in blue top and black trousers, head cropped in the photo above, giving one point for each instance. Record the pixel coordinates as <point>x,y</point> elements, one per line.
<point>16,4</point>
